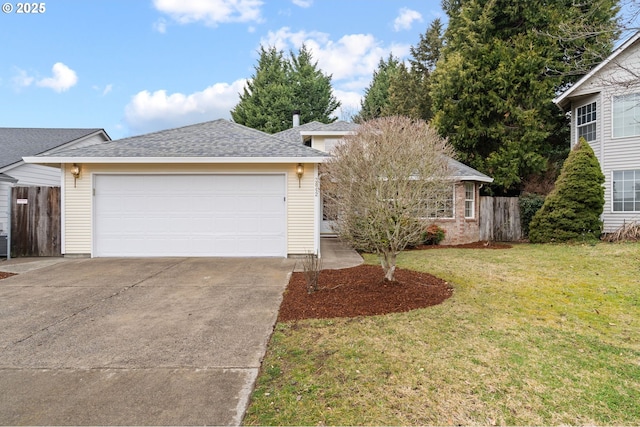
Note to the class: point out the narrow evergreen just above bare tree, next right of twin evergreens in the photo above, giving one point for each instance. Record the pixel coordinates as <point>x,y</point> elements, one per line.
<point>376,96</point>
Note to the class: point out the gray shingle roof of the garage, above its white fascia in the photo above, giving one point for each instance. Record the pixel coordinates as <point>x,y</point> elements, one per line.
<point>218,138</point>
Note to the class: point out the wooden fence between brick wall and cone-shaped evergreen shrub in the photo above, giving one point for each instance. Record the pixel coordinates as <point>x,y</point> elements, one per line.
<point>500,219</point>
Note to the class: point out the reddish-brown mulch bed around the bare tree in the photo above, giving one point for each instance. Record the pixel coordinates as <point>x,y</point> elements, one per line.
<point>361,291</point>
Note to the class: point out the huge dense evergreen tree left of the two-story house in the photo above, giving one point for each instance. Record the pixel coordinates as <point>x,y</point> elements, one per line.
<point>493,87</point>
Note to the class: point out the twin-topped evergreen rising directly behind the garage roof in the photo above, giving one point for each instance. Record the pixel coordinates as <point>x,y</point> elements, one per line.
<point>281,85</point>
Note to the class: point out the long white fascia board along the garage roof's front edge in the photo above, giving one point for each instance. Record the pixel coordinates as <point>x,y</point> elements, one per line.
<point>173,160</point>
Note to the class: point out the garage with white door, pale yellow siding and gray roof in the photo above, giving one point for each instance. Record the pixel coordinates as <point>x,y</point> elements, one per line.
<point>210,189</point>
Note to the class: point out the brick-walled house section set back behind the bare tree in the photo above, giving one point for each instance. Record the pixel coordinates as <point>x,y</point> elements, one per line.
<point>456,211</point>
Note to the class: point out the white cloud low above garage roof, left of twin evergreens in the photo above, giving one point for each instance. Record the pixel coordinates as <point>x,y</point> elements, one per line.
<point>148,112</point>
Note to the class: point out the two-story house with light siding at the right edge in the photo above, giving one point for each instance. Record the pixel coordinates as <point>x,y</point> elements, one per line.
<point>605,110</point>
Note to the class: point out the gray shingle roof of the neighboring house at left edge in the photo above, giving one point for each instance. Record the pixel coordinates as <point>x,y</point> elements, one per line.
<point>16,143</point>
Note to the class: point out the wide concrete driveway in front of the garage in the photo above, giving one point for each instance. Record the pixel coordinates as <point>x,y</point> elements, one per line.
<point>168,341</point>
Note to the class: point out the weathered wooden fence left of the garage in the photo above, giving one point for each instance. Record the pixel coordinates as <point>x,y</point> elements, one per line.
<point>35,221</point>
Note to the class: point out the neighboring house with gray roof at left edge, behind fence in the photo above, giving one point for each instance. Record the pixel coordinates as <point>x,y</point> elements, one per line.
<point>15,143</point>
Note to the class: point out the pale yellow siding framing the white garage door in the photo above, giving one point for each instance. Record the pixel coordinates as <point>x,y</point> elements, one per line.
<point>300,201</point>
